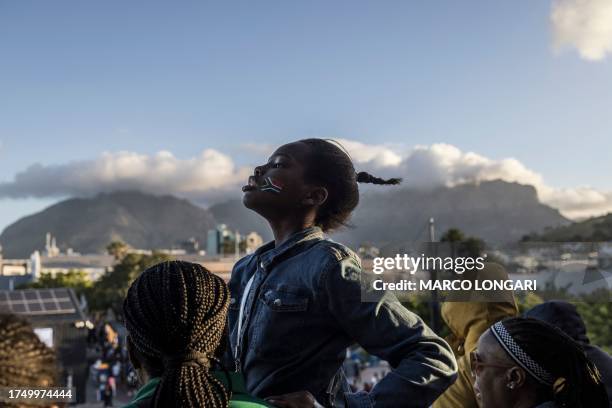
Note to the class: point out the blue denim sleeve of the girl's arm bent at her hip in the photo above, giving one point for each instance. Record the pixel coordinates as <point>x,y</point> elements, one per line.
<point>423,363</point>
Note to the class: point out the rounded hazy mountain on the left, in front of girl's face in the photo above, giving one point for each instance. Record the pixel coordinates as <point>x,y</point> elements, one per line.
<point>88,224</point>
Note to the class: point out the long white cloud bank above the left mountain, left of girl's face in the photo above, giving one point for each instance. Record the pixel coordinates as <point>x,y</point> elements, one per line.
<point>208,175</point>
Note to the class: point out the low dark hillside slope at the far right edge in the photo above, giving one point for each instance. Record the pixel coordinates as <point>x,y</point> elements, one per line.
<point>594,229</point>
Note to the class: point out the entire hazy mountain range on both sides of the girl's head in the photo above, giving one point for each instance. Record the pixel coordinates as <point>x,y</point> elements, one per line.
<point>388,217</point>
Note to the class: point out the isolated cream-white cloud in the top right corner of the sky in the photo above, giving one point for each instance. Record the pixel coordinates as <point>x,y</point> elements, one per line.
<point>585,25</point>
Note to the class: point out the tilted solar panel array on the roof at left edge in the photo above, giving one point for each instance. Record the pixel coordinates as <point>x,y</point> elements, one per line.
<point>38,301</point>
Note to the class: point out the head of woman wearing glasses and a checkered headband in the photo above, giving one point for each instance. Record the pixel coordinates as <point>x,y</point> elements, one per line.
<point>527,363</point>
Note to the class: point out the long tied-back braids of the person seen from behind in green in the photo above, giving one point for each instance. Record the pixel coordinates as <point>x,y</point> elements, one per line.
<point>175,314</point>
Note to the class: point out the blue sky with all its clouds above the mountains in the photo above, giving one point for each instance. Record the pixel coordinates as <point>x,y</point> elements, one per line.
<point>185,97</point>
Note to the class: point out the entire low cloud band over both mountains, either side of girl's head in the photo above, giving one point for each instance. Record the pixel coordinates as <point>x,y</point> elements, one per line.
<point>212,176</point>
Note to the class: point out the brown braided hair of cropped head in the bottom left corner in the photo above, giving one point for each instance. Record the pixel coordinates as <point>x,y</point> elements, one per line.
<point>25,361</point>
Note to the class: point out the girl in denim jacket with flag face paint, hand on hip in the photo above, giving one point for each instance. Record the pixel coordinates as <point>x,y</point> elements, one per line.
<point>297,301</point>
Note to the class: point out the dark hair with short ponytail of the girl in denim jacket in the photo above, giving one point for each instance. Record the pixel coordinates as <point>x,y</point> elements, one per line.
<point>331,166</point>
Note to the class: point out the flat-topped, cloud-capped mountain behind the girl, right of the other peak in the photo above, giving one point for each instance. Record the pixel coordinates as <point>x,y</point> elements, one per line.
<point>496,211</point>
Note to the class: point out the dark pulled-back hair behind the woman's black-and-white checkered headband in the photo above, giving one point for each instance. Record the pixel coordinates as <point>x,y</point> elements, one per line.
<point>578,383</point>
